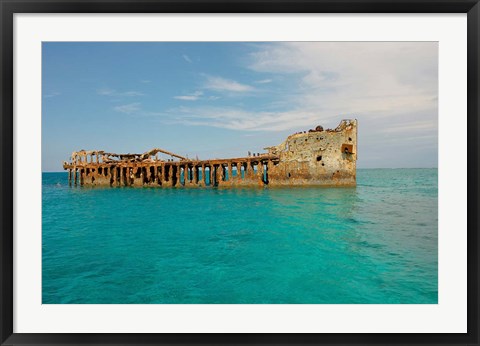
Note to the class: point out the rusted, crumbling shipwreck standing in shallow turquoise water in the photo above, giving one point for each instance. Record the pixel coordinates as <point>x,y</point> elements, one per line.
<point>314,157</point>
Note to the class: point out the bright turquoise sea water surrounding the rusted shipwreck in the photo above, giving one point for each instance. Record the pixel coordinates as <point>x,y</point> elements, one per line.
<point>376,243</point>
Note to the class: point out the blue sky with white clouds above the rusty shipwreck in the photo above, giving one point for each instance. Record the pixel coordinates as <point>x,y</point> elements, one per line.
<point>215,100</point>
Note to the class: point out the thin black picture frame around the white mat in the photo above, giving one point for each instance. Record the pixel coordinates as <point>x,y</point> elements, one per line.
<point>9,7</point>
